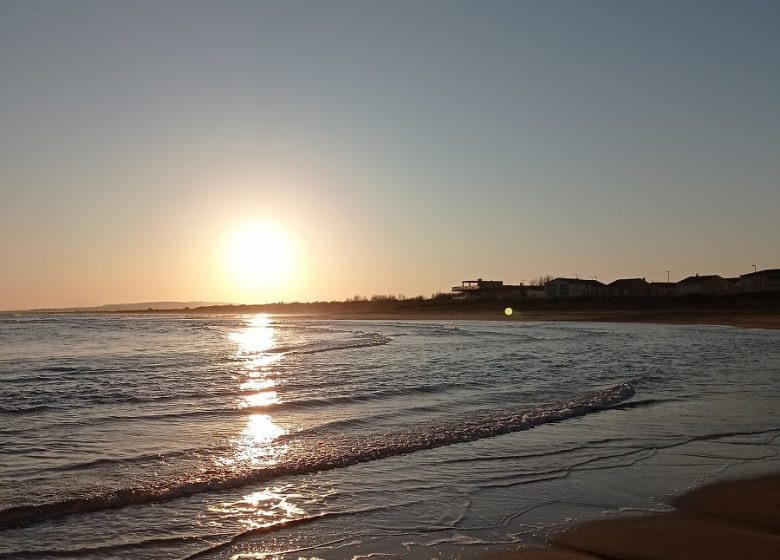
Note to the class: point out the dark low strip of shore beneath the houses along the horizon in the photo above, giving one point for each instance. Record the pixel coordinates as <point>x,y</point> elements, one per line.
<point>756,310</point>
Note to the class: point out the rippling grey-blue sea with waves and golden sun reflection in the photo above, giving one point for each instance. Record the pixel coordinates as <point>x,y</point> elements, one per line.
<point>227,437</point>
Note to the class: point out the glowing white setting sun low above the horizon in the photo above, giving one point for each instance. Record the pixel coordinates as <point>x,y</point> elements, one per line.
<point>259,258</point>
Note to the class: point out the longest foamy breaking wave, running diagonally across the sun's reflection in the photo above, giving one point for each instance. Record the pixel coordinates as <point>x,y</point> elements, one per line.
<point>339,453</point>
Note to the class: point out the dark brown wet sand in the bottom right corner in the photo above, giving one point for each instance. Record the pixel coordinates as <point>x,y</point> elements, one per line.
<point>735,520</point>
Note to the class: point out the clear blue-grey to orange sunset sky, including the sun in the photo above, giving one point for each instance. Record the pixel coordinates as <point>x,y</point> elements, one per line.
<point>243,151</point>
